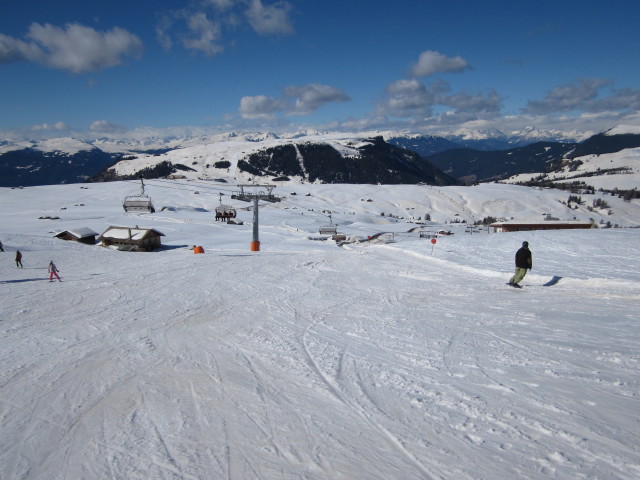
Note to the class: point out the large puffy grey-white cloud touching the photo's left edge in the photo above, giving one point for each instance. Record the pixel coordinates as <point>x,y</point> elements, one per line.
<point>74,48</point>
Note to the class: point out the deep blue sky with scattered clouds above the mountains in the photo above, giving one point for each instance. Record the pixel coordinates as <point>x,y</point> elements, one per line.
<point>115,67</point>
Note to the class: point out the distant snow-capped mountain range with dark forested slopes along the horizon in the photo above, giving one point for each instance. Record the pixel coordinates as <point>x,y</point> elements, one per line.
<point>241,156</point>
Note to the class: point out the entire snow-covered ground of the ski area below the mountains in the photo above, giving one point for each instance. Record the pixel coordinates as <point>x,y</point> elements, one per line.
<point>403,360</point>
